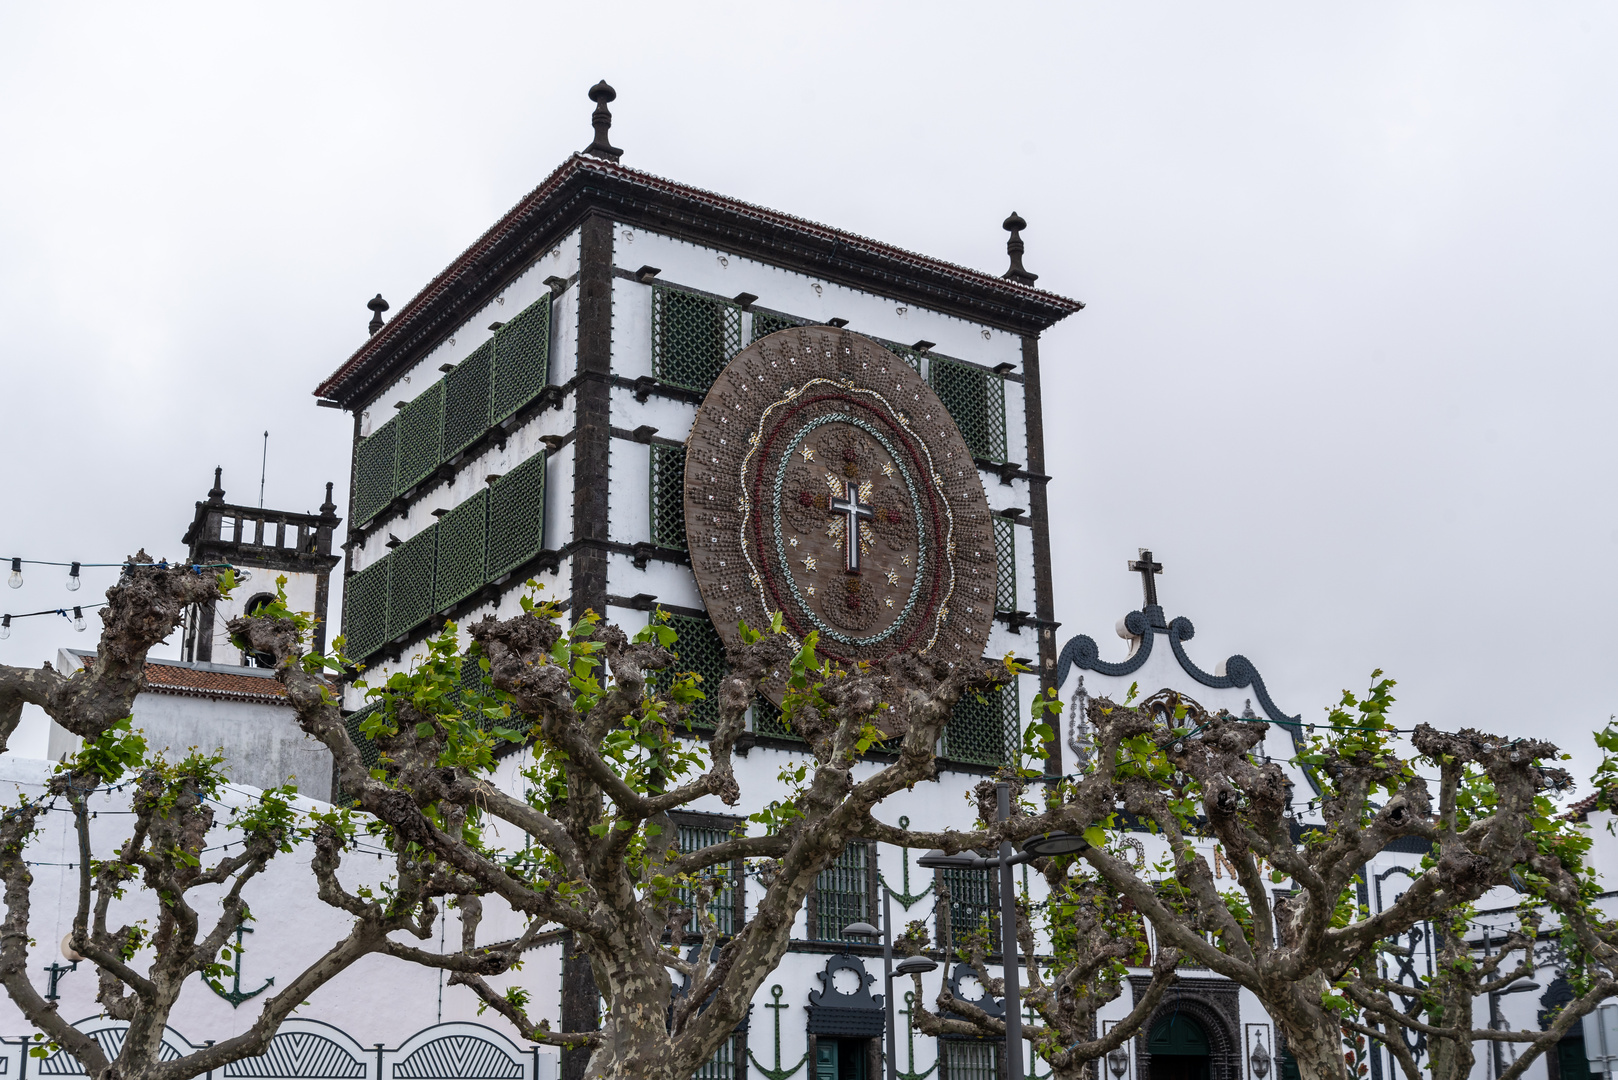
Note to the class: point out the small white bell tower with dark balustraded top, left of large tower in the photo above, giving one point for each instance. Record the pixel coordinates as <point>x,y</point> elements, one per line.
<point>265,545</point>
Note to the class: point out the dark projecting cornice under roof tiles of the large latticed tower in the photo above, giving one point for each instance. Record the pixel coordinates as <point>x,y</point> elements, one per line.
<point>585,185</point>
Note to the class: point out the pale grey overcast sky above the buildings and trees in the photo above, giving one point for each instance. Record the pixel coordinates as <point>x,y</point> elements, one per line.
<point>1347,365</point>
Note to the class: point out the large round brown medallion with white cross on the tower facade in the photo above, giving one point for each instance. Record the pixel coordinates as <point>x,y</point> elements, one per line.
<point>826,482</point>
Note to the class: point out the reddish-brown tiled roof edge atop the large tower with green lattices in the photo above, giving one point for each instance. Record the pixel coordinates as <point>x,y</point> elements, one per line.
<point>1053,305</point>
